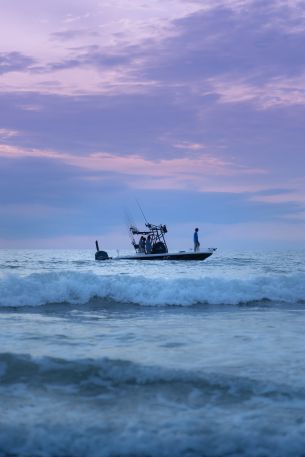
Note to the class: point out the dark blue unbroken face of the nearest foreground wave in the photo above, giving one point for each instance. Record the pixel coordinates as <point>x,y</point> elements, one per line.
<point>90,375</point>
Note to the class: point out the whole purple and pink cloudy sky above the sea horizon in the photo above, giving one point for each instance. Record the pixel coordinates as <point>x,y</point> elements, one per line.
<point>193,108</point>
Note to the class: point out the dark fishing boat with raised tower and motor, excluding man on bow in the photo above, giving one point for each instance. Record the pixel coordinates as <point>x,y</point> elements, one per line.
<point>150,244</point>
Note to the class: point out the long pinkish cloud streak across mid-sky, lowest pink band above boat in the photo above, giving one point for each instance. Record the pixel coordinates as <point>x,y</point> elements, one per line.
<point>202,172</point>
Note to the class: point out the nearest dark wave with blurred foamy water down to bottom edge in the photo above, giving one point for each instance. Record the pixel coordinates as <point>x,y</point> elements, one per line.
<point>107,407</point>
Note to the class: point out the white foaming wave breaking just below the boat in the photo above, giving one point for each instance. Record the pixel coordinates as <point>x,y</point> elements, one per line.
<point>80,287</point>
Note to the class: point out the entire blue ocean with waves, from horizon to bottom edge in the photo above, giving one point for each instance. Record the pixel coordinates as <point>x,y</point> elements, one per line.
<point>122,358</point>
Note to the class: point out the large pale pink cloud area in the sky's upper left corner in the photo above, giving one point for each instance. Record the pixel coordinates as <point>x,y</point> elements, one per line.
<point>113,25</point>
